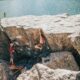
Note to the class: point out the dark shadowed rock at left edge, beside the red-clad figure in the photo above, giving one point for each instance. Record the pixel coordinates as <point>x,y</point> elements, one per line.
<point>4,47</point>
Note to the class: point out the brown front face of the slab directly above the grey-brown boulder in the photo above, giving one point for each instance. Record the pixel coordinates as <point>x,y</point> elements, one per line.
<point>59,41</point>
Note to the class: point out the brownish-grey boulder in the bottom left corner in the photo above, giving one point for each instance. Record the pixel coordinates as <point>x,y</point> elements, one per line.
<point>5,72</point>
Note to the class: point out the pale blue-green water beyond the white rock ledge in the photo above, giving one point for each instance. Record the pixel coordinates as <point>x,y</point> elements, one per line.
<point>38,7</point>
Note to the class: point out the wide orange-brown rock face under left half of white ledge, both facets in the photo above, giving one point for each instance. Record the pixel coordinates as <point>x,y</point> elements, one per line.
<point>22,35</point>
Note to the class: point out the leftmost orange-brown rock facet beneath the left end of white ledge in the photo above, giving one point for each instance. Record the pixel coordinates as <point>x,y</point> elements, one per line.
<point>15,33</point>
